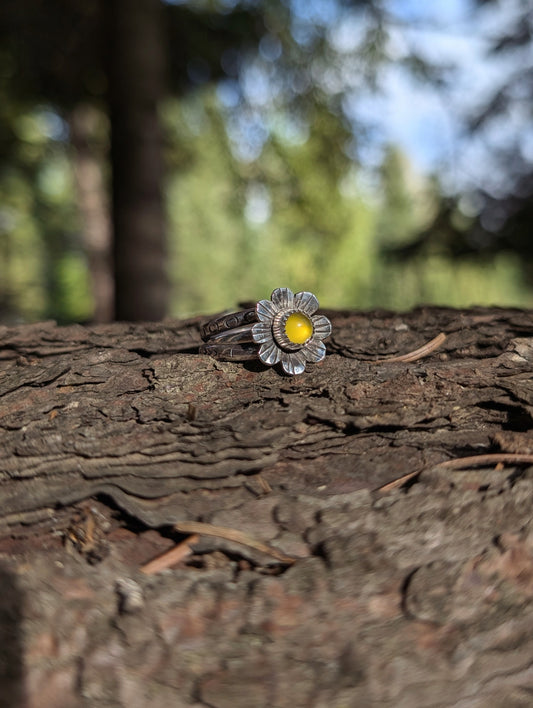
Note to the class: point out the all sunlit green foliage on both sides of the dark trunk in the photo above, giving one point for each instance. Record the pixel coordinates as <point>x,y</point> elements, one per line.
<point>298,215</point>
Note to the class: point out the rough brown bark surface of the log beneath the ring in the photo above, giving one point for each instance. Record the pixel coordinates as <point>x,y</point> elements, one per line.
<point>414,595</point>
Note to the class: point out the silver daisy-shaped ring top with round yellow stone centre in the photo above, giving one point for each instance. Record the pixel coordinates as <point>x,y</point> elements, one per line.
<point>289,331</point>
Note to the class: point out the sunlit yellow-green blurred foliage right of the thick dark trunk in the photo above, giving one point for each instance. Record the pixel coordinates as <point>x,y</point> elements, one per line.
<point>301,216</point>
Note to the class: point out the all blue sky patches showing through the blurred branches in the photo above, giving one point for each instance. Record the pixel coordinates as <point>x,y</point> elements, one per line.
<point>428,123</point>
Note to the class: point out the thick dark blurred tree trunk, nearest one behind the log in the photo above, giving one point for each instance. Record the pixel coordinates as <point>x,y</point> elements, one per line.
<point>136,88</point>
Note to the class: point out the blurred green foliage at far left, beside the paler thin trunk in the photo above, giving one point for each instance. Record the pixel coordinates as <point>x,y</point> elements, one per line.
<point>43,272</point>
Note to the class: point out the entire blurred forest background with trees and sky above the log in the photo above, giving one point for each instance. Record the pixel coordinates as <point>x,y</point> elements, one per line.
<point>169,157</point>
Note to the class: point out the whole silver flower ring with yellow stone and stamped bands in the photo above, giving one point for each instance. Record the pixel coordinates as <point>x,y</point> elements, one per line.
<point>283,329</point>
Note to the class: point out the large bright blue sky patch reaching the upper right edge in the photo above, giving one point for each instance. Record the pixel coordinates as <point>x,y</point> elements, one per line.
<point>428,123</point>
